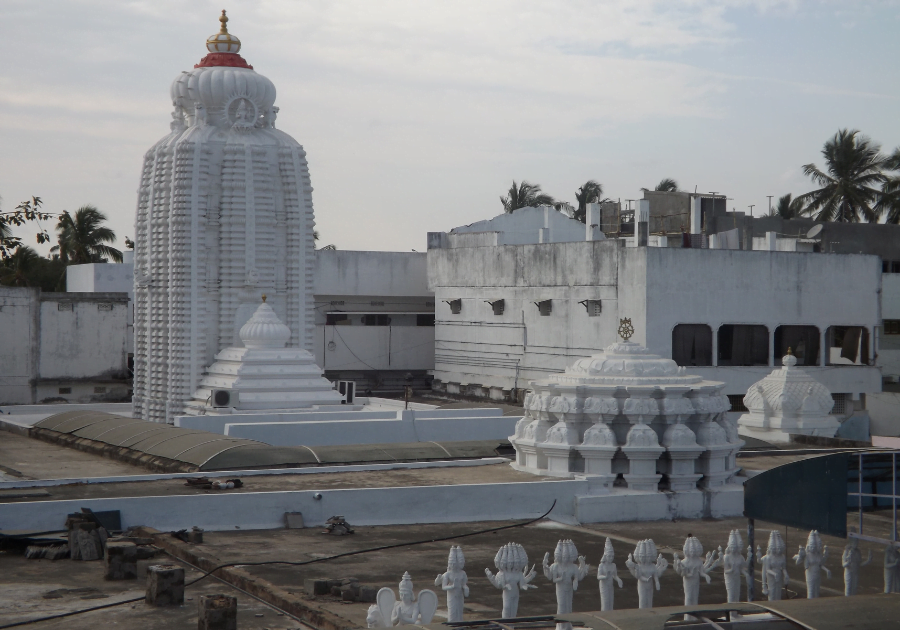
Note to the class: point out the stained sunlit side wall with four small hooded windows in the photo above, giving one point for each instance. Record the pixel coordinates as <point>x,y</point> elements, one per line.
<point>506,351</point>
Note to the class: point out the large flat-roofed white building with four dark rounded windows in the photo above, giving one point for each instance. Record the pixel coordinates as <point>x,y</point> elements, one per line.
<point>508,315</point>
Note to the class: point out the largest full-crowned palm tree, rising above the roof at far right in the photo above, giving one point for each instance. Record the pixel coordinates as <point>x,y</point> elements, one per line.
<point>850,188</point>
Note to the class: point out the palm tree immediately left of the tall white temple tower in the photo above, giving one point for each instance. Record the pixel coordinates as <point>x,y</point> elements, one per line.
<point>81,237</point>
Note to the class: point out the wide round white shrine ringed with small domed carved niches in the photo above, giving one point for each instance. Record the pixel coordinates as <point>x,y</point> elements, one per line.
<point>627,411</point>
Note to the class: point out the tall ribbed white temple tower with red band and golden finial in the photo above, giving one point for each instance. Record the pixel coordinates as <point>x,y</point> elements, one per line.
<point>224,215</point>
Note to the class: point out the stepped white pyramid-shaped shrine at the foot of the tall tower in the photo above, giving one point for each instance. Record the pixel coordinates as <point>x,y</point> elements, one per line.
<point>265,374</point>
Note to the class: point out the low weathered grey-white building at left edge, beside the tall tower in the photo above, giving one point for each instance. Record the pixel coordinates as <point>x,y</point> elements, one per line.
<point>62,346</point>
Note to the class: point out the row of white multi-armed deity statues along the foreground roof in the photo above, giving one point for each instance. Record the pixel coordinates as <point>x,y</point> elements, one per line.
<point>646,564</point>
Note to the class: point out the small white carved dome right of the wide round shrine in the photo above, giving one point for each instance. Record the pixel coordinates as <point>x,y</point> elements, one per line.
<point>787,402</point>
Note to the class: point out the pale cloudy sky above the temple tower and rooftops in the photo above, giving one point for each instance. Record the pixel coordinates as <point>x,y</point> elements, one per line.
<point>417,115</point>
